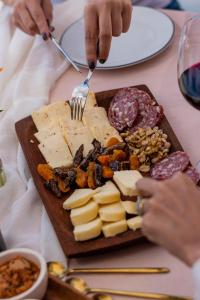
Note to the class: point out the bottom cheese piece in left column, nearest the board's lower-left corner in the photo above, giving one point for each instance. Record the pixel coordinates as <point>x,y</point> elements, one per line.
<point>88,231</point>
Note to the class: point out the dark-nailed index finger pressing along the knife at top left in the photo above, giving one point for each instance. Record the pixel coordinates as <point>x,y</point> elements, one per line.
<point>39,17</point>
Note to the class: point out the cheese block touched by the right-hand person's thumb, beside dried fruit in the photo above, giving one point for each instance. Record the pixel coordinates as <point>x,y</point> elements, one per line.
<point>126,181</point>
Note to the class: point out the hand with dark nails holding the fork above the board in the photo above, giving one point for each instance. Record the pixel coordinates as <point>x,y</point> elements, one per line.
<point>104,19</point>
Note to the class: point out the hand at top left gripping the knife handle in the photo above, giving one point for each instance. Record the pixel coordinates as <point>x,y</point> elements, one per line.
<point>33,16</point>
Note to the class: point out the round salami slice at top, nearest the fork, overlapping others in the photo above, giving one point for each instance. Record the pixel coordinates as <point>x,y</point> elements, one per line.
<point>123,109</point>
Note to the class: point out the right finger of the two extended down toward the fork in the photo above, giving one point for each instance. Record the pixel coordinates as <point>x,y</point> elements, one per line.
<point>105,35</point>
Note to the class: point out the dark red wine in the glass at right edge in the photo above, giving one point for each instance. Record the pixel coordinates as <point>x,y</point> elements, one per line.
<point>189,83</point>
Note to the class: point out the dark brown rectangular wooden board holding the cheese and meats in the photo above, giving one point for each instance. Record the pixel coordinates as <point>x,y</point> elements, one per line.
<point>59,217</point>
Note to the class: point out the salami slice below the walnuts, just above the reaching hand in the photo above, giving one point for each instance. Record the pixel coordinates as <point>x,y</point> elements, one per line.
<point>166,168</point>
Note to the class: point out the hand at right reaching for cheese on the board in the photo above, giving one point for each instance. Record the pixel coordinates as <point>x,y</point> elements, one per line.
<point>171,215</point>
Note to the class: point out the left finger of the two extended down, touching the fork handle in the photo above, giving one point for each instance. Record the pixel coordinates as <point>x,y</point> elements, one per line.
<point>91,35</point>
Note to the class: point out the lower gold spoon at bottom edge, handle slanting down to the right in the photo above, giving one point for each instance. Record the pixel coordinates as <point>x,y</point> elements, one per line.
<point>80,285</point>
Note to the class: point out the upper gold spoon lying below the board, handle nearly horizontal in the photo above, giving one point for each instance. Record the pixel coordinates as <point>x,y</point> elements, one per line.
<point>58,270</point>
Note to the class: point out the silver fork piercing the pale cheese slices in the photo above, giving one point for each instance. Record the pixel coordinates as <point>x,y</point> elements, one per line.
<point>79,98</point>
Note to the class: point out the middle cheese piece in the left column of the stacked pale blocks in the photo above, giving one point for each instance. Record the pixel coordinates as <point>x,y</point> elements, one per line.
<point>84,214</point>
